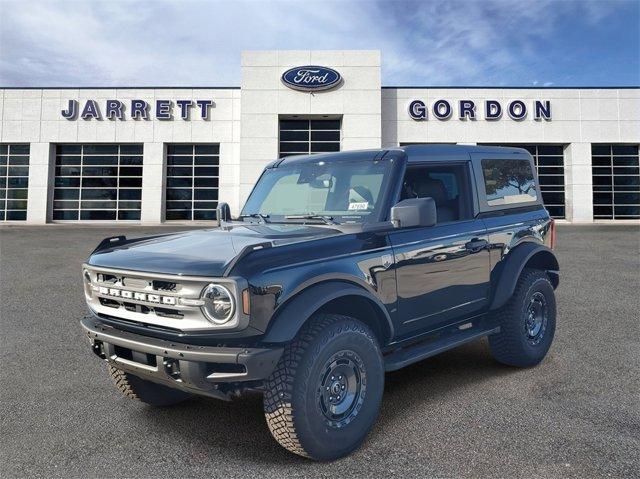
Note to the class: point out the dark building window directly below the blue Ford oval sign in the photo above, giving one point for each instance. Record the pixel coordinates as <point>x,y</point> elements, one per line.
<point>303,137</point>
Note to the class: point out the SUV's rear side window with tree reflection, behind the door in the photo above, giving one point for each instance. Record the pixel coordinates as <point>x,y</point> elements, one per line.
<point>508,182</point>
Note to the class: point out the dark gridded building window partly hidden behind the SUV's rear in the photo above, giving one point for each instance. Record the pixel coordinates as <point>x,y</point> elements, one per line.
<point>549,161</point>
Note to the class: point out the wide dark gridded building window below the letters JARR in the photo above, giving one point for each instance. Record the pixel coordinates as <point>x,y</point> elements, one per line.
<point>98,182</point>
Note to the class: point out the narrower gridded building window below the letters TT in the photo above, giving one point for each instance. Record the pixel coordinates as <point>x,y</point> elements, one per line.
<point>192,182</point>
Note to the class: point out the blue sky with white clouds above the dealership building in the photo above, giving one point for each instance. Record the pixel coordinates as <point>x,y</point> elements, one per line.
<point>198,43</point>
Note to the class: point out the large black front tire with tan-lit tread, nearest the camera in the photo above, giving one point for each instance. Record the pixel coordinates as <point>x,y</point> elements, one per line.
<point>292,404</point>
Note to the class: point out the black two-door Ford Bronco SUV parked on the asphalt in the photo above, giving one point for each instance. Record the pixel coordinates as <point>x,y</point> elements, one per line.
<point>340,267</point>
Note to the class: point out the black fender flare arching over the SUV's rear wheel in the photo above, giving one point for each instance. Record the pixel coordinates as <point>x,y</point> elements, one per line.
<point>515,261</point>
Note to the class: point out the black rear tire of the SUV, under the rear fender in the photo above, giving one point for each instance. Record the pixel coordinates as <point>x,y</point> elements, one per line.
<point>512,345</point>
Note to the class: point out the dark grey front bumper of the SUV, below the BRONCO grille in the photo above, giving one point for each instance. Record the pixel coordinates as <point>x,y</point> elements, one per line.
<point>203,370</point>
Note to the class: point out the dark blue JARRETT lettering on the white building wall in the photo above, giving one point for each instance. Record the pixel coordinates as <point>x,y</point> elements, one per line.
<point>136,109</point>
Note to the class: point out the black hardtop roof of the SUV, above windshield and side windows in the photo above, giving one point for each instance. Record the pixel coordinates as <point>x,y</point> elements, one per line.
<point>413,152</point>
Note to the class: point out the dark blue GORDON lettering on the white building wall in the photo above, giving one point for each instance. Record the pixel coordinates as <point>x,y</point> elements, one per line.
<point>492,109</point>
